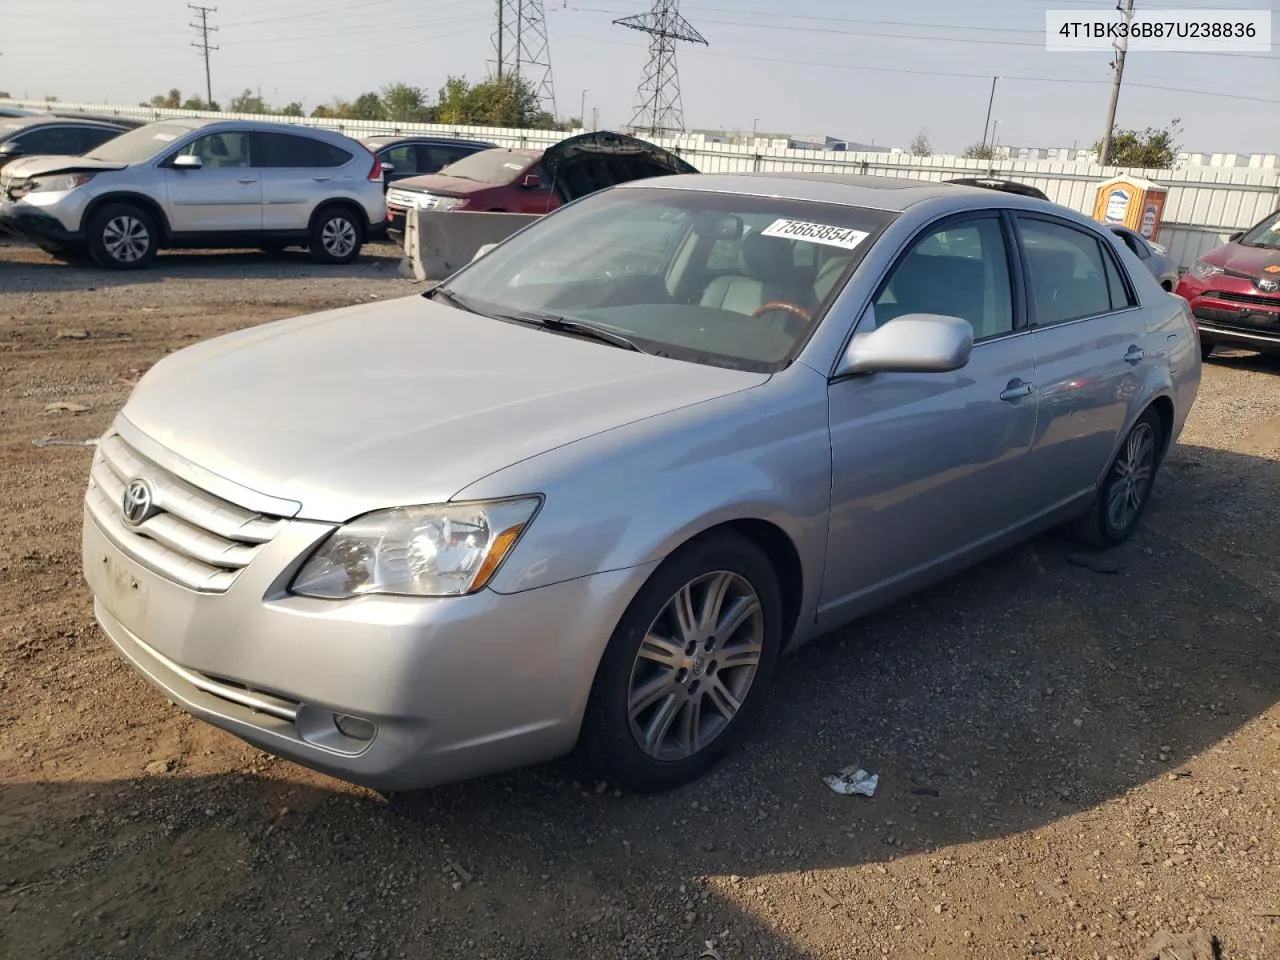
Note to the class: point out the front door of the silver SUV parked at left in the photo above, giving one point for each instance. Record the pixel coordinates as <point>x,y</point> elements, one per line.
<point>225,195</point>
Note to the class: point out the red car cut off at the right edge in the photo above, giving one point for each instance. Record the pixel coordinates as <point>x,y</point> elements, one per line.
<point>1235,291</point>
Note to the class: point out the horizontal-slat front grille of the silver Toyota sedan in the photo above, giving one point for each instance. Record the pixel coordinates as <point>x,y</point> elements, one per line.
<point>193,538</point>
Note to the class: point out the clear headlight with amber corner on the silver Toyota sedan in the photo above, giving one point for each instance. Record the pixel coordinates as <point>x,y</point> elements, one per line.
<point>447,550</point>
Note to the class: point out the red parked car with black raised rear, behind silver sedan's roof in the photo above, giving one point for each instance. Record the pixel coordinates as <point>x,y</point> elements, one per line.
<point>511,181</point>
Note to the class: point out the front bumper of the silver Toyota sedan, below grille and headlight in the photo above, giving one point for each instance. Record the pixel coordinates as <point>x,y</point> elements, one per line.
<point>458,688</point>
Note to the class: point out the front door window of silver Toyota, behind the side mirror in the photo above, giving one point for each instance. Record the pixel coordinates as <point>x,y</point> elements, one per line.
<point>961,269</point>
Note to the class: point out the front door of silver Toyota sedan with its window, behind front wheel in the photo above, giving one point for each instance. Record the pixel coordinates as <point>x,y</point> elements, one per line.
<point>927,469</point>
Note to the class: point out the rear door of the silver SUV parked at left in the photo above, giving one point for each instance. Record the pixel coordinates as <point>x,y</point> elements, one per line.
<point>298,175</point>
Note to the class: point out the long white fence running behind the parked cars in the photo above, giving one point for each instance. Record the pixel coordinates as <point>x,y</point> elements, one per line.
<point>1210,196</point>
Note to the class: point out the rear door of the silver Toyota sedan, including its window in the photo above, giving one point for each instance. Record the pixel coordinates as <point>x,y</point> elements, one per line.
<point>1091,351</point>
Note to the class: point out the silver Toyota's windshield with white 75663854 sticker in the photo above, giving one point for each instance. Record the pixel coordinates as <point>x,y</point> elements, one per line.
<point>714,278</point>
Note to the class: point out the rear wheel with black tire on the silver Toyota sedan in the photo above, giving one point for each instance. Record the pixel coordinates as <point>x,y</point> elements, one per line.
<point>1109,524</point>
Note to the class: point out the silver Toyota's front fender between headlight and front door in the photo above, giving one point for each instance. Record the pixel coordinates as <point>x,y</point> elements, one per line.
<point>634,495</point>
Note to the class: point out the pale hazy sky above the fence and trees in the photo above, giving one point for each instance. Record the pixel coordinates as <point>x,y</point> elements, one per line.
<point>849,68</point>
